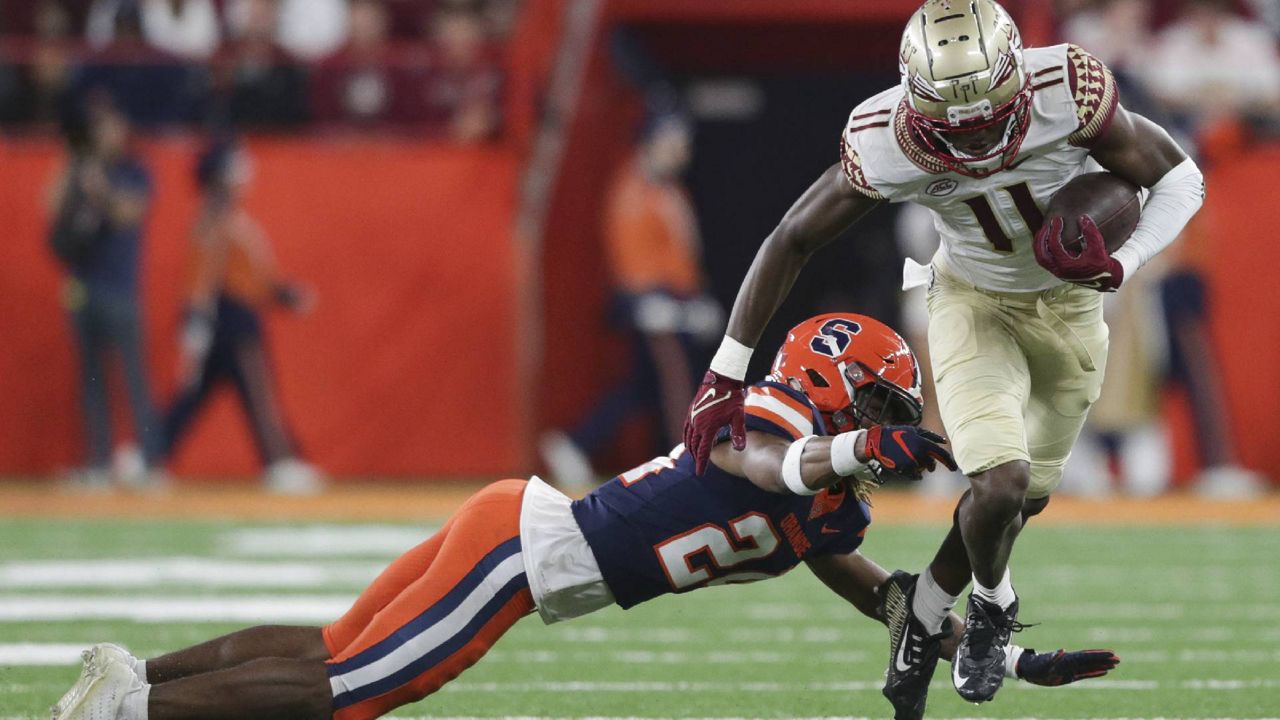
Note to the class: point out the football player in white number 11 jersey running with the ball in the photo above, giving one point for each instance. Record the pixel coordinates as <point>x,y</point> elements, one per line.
<point>981,133</point>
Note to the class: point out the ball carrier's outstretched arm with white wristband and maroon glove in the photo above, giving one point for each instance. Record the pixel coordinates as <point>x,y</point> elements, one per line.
<point>822,213</point>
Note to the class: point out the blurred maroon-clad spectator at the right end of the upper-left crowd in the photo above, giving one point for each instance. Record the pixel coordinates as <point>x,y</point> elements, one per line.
<point>464,89</point>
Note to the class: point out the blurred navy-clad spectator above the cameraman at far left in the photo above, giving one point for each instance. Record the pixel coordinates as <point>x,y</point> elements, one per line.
<point>152,86</point>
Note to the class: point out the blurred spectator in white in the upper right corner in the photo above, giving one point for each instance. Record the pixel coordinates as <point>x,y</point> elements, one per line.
<point>1212,62</point>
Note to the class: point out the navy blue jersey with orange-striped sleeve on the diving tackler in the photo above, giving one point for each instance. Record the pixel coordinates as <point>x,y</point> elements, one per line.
<point>660,528</point>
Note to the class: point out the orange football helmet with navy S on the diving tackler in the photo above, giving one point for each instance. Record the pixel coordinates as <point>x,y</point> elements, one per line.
<point>856,370</point>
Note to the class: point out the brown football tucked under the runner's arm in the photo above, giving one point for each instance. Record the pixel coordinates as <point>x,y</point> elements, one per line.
<point>1110,200</point>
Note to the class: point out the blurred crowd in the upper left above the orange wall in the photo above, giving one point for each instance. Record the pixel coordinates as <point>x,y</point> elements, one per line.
<point>429,67</point>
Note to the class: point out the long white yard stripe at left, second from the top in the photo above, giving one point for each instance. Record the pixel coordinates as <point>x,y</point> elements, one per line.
<point>200,572</point>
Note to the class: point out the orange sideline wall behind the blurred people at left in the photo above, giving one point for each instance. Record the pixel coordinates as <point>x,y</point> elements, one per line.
<point>404,370</point>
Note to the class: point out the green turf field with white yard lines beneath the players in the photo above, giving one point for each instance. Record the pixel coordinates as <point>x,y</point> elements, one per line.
<point>1191,610</point>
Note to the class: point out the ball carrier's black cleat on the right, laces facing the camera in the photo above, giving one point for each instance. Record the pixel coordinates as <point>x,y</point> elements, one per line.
<point>979,669</point>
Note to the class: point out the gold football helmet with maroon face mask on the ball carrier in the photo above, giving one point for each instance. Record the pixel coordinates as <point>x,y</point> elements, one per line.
<point>968,93</point>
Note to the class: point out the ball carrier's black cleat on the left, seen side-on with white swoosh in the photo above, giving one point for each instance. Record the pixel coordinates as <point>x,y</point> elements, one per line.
<point>913,651</point>
